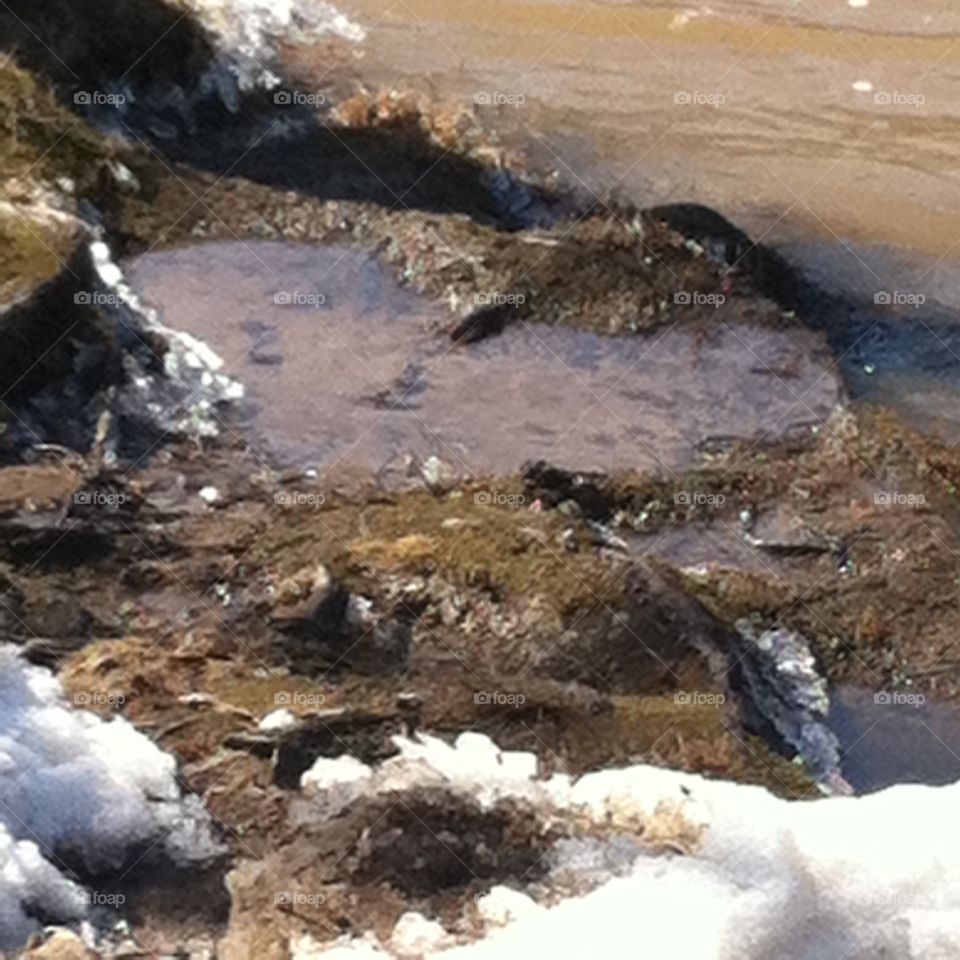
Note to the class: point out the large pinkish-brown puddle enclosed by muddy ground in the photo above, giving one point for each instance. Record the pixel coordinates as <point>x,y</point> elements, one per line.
<point>346,372</point>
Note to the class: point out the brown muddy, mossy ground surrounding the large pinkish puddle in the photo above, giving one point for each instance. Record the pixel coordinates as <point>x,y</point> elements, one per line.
<point>568,615</point>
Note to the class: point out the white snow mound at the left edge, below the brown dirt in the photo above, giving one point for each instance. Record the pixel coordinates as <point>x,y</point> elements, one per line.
<point>72,785</point>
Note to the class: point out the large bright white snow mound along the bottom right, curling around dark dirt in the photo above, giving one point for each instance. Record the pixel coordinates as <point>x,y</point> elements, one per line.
<point>852,877</point>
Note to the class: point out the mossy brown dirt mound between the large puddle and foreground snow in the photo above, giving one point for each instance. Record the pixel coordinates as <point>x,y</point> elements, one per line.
<point>496,606</point>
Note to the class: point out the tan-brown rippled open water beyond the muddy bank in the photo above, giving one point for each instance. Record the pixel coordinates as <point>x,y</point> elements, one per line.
<point>781,132</point>
